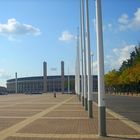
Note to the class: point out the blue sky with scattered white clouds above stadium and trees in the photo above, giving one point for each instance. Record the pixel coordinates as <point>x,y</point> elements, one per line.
<point>33,31</point>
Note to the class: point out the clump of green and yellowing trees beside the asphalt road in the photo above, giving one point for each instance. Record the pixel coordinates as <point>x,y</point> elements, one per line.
<point>127,79</point>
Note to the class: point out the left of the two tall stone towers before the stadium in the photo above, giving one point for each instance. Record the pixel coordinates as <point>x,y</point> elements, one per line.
<point>44,77</point>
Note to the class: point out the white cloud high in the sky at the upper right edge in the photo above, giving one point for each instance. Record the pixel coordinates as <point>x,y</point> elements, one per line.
<point>126,23</point>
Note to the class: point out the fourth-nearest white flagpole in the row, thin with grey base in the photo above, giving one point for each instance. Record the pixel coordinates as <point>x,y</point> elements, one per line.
<point>81,45</point>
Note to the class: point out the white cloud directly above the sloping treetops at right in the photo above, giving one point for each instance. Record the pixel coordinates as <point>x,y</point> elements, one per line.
<point>118,55</point>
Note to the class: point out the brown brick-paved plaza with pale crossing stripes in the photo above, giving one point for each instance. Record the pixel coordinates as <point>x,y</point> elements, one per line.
<point>43,117</point>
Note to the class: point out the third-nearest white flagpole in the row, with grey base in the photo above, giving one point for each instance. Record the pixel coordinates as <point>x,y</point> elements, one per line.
<point>84,46</point>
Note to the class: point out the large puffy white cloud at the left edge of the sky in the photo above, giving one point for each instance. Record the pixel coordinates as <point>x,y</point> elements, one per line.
<point>14,28</point>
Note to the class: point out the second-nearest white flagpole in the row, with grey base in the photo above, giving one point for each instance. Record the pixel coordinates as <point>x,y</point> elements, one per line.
<point>88,63</point>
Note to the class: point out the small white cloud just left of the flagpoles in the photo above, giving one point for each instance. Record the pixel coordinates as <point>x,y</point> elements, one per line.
<point>66,36</point>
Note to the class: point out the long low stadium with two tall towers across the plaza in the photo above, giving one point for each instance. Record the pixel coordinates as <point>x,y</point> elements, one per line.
<point>44,84</point>
